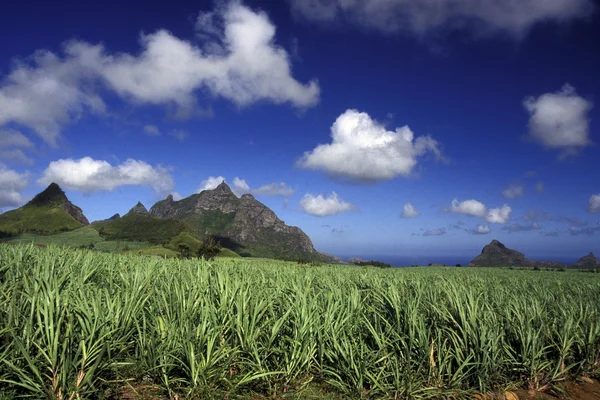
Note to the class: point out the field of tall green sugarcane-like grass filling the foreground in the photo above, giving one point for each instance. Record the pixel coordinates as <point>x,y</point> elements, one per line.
<point>76,323</point>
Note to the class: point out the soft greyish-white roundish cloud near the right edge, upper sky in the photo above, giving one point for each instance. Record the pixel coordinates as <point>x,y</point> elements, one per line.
<point>559,120</point>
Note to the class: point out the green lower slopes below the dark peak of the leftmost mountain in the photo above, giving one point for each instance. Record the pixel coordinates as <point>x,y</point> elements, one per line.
<point>43,220</point>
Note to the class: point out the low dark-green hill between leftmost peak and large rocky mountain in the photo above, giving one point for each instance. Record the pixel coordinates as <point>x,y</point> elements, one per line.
<point>141,228</point>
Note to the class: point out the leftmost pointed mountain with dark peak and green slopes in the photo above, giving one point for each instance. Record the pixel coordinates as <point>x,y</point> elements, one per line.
<point>48,213</point>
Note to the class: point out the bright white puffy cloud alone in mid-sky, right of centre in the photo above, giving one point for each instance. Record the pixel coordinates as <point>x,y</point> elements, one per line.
<point>363,150</point>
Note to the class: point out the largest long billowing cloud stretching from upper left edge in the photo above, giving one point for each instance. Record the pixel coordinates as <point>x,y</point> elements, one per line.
<point>238,61</point>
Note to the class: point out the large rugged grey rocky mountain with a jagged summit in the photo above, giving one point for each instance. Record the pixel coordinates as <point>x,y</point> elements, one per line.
<point>244,224</point>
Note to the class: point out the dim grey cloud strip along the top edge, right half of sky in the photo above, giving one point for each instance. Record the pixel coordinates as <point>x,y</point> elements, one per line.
<point>423,17</point>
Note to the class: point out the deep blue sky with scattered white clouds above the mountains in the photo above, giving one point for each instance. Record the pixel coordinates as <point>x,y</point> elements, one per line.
<point>377,127</point>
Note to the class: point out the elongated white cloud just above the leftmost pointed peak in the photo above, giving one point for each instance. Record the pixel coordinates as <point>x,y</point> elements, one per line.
<point>88,175</point>
